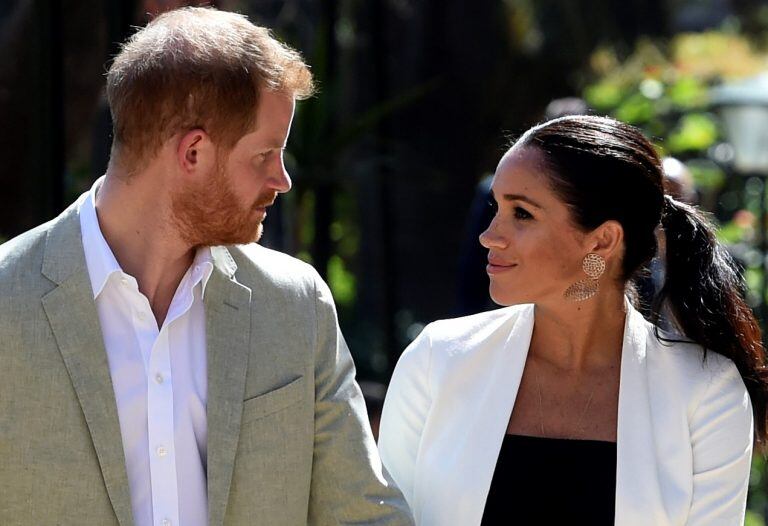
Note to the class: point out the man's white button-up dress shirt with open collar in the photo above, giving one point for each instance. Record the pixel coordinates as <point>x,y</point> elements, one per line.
<point>160,382</point>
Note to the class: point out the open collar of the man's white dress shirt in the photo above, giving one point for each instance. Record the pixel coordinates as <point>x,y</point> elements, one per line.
<point>101,261</point>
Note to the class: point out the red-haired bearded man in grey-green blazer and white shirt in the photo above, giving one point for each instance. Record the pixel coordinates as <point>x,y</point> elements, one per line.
<point>156,366</point>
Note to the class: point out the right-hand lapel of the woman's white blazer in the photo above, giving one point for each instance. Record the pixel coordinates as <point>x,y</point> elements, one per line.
<point>637,486</point>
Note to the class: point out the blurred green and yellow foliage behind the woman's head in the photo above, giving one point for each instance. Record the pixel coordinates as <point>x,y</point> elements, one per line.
<point>662,86</point>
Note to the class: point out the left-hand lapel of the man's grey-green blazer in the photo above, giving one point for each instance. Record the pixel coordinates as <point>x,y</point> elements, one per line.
<point>72,314</point>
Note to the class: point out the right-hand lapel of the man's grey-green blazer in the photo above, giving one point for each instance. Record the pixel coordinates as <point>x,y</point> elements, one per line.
<point>228,329</point>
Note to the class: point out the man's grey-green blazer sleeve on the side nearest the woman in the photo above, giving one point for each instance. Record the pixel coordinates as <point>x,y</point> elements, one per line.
<point>348,485</point>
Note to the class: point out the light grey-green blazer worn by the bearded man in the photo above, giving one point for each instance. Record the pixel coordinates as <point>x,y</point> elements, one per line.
<point>288,438</point>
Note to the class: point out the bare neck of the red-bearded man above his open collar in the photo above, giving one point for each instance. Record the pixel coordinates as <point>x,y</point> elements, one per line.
<point>134,220</point>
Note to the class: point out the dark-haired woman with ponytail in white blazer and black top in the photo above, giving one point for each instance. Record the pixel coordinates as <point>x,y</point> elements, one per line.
<point>568,407</point>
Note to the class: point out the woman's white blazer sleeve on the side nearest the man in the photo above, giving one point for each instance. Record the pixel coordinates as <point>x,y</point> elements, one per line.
<point>405,411</point>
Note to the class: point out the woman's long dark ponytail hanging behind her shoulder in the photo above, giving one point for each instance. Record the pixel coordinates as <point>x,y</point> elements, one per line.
<point>704,291</point>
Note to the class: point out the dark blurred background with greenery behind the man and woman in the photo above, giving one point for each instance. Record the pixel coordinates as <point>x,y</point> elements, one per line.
<point>418,100</point>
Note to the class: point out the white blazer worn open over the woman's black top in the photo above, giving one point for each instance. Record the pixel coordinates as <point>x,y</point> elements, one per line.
<point>684,433</point>
